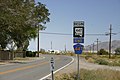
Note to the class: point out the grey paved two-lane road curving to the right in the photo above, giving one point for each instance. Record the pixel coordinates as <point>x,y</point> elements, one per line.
<point>34,70</point>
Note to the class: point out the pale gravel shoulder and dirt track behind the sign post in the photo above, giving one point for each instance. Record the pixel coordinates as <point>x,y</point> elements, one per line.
<point>85,65</point>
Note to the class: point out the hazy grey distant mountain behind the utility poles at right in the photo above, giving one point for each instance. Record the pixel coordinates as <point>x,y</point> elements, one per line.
<point>104,45</point>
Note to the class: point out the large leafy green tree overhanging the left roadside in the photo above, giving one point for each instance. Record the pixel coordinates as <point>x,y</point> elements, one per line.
<point>19,21</point>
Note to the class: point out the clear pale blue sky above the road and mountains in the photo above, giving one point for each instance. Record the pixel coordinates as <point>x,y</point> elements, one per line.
<point>97,15</point>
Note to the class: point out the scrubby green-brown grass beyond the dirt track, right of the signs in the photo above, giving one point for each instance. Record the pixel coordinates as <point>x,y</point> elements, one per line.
<point>104,60</point>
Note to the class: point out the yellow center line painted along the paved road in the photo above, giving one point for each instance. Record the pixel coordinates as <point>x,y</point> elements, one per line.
<point>23,68</point>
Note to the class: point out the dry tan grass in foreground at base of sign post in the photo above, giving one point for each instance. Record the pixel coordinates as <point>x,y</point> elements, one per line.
<point>92,75</point>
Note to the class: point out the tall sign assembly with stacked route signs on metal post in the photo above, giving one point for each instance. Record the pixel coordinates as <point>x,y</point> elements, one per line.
<point>78,34</point>
